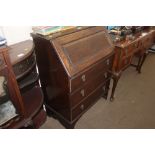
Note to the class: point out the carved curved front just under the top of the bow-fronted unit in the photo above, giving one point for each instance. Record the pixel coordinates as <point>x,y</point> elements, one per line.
<point>21,68</point>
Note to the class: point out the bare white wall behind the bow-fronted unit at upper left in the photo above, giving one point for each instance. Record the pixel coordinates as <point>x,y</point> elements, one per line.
<point>15,34</point>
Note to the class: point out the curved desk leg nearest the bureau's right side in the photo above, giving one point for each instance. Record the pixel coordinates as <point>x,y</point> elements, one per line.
<point>116,77</point>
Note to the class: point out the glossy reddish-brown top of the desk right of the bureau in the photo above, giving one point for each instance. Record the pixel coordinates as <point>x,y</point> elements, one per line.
<point>137,36</point>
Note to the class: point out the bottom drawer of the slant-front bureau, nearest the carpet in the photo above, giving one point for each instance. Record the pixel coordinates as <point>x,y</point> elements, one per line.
<point>88,102</point>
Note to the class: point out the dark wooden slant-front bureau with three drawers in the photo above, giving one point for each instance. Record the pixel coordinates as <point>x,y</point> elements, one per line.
<point>75,70</point>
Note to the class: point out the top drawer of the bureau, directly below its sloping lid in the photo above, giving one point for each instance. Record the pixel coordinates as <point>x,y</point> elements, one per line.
<point>90,74</point>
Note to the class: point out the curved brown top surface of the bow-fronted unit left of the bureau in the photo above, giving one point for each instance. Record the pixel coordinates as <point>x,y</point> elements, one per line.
<point>20,51</point>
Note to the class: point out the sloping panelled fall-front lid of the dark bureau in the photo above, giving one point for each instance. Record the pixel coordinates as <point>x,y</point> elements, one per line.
<point>81,49</point>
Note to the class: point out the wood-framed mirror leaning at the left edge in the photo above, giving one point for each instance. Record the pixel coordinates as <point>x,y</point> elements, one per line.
<point>10,91</point>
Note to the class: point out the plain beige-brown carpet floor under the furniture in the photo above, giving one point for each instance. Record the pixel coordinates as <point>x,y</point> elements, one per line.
<point>133,107</point>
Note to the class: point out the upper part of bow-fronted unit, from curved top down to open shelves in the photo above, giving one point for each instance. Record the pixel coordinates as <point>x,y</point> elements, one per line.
<point>23,61</point>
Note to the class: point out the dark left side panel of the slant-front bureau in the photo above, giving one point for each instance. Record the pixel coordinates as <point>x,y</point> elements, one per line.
<point>54,79</point>
